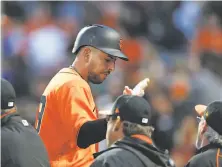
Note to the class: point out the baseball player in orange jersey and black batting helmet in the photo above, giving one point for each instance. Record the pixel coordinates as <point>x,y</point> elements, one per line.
<point>67,116</point>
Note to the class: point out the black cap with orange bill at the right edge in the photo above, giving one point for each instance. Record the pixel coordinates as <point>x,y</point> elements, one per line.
<point>212,114</point>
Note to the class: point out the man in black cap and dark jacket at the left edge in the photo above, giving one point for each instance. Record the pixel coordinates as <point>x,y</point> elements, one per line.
<point>20,144</point>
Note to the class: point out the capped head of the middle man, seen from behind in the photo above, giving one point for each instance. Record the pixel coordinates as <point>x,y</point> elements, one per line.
<point>129,116</point>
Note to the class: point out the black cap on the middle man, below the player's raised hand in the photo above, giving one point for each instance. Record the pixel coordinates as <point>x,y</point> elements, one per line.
<point>132,108</point>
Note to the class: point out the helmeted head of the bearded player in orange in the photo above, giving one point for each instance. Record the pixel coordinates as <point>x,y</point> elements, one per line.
<point>96,48</point>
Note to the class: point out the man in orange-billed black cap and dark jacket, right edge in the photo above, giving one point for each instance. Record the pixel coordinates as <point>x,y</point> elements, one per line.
<point>209,136</point>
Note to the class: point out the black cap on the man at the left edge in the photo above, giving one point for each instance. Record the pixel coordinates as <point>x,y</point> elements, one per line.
<point>8,95</point>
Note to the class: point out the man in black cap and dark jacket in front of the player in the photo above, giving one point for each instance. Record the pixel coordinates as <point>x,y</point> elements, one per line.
<point>130,131</point>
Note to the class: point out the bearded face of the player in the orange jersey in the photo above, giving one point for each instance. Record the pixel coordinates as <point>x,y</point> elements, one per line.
<point>100,66</point>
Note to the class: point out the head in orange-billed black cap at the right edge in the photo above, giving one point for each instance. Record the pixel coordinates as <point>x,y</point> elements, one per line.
<point>209,128</point>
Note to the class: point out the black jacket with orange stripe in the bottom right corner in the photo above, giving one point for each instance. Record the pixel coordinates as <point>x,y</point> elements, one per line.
<point>208,156</point>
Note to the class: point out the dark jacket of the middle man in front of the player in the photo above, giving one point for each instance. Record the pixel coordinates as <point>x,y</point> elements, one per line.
<point>132,152</point>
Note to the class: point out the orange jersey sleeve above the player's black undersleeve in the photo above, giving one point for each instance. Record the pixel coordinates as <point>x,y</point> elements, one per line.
<point>78,109</point>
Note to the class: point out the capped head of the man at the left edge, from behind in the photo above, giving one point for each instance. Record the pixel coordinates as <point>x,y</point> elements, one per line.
<point>8,98</point>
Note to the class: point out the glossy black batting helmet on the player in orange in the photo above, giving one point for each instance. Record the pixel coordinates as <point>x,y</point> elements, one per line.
<point>100,37</point>
